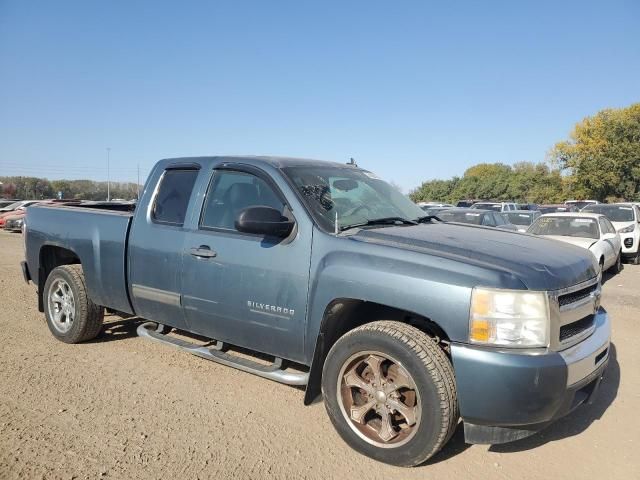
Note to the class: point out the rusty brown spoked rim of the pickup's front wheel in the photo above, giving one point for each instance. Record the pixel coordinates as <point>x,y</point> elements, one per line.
<point>379,399</point>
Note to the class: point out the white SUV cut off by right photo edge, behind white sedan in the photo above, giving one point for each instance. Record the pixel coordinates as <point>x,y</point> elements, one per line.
<point>625,218</point>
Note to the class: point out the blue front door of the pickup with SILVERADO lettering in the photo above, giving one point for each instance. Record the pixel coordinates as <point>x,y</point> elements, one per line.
<point>245,289</point>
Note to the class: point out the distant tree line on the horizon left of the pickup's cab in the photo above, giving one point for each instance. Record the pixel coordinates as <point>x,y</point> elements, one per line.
<point>41,188</point>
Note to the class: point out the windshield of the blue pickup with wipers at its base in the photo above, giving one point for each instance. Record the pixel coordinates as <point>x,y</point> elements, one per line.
<point>356,196</point>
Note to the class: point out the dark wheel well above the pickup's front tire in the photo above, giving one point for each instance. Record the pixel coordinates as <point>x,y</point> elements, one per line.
<point>345,314</point>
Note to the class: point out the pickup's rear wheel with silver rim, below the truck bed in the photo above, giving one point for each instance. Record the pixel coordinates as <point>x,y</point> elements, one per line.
<point>71,315</point>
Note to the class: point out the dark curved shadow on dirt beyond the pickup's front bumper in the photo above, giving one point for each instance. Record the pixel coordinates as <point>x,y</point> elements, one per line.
<point>578,420</point>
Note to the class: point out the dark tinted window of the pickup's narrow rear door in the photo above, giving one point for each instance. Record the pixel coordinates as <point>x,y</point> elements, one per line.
<point>172,199</point>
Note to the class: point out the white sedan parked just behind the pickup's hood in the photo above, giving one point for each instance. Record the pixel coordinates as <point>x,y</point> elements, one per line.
<point>587,230</point>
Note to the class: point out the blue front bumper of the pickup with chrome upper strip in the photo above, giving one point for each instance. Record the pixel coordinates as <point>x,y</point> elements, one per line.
<point>505,395</point>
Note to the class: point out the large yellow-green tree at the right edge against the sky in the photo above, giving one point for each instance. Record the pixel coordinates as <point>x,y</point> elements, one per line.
<point>602,155</point>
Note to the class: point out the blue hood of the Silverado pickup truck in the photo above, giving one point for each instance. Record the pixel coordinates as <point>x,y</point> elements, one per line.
<point>539,263</point>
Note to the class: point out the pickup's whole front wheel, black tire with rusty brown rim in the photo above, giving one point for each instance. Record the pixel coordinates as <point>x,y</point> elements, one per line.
<point>390,392</point>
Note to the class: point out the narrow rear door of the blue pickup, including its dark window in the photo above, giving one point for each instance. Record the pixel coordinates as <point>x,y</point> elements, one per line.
<point>156,246</point>
